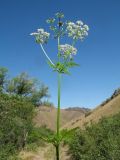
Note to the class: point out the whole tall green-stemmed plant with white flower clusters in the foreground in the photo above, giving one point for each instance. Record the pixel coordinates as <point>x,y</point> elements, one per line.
<point>65,59</point>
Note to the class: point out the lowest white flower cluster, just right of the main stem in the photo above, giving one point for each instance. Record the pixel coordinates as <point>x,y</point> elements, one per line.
<point>67,50</point>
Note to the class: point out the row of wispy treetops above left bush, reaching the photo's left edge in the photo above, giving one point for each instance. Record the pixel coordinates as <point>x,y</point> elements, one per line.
<point>24,86</point>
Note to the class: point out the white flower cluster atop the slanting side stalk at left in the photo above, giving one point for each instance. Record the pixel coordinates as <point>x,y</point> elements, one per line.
<point>41,36</point>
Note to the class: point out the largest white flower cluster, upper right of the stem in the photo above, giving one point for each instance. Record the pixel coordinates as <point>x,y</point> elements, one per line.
<point>77,30</point>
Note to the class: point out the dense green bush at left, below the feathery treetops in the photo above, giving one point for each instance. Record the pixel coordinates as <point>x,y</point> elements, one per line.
<point>16,115</point>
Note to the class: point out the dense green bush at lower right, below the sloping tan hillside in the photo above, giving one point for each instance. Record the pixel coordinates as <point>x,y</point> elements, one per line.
<point>99,141</point>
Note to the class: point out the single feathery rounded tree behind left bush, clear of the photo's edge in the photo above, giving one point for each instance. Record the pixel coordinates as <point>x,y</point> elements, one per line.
<point>25,86</point>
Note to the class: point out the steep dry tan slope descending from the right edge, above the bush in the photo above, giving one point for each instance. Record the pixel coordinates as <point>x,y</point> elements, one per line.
<point>110,108</point>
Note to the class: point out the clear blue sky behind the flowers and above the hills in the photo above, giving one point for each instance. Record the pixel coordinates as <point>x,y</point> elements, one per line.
<point>99,55</point>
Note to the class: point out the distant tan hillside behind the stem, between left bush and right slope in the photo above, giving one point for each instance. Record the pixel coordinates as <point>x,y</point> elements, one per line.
<point>47,116</point>
